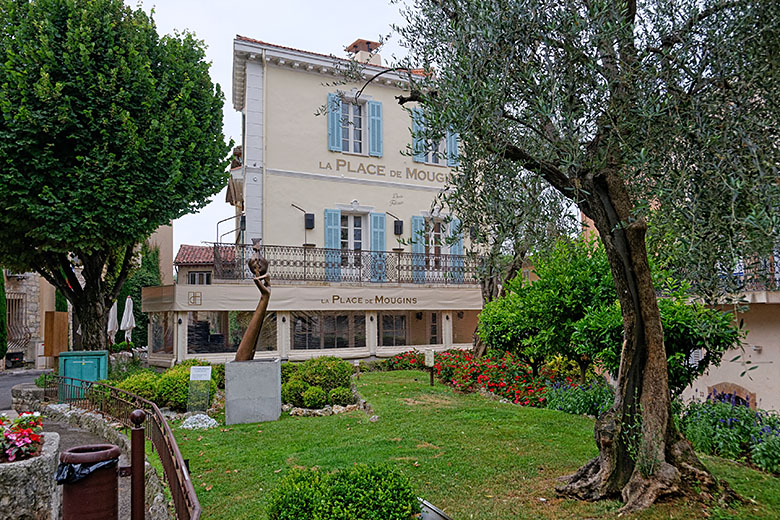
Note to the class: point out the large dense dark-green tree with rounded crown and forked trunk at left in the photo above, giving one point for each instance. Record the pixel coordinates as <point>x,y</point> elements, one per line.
<point>107,131</point>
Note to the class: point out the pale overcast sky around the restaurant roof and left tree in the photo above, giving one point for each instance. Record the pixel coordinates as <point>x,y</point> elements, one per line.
<point>313,25</point>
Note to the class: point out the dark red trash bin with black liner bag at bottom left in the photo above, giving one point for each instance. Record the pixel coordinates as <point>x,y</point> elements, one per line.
<point>88,475</point>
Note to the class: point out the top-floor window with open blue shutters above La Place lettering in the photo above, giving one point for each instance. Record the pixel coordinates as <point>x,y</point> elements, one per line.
<point>354,126</point>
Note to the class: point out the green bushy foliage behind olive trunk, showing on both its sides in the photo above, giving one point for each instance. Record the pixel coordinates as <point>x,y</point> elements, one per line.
<point>688,327</point>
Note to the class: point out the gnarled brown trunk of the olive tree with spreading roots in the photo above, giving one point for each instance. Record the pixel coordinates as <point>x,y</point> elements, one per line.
<point>642,456</point>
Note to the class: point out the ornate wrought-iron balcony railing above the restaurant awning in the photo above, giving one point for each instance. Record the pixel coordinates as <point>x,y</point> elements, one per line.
<point>291,264</point>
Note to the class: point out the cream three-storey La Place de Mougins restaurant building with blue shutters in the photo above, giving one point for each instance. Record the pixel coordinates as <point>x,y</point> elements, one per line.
<point>341,205</point>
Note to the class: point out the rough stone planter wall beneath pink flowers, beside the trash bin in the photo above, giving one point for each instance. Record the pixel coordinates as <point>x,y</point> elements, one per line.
<point>27,487</point>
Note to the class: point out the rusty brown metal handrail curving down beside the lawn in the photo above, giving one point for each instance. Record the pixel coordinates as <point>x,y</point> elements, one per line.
<point>119,404</point>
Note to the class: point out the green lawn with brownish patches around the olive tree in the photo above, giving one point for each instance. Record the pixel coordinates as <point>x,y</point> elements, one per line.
<point>473,457</point>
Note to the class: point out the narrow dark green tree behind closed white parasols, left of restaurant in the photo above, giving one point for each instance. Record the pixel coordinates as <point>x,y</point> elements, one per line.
<point>146,275</point>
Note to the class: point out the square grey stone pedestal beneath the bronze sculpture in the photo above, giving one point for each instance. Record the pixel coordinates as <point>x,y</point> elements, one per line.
<point>253,391</point>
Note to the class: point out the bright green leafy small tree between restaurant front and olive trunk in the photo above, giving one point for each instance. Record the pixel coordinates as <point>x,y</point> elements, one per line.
<point>536,319</point>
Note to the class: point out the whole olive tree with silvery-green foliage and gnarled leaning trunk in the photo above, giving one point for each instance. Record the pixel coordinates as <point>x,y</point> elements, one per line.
<point>630,109</point>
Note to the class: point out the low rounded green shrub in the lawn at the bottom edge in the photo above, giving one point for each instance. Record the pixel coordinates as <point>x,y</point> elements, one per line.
<point>361,492</point>
